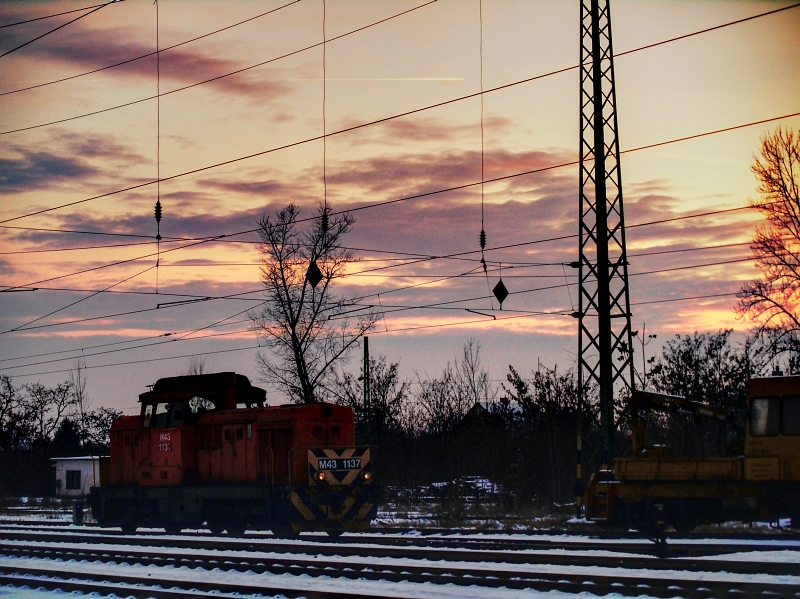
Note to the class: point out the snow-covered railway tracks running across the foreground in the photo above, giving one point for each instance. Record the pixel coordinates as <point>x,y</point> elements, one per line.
<point>273,566</point>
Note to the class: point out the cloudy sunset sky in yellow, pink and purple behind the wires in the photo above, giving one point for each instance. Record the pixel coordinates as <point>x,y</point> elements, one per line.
<point>724,78</point>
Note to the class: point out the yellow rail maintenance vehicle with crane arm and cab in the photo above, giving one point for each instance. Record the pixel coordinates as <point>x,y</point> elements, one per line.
<point>651,491</point>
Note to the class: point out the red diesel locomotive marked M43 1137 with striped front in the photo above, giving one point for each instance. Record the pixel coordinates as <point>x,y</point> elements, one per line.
<point>205,449</point>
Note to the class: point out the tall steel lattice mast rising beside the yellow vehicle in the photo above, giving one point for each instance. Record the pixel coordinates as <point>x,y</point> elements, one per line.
<point>605,350</point>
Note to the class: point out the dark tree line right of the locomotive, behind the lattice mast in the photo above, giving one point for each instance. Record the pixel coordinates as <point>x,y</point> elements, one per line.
<point>522,432</point>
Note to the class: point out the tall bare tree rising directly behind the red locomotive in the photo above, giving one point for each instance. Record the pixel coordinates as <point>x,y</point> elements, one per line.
<point>302,322</point>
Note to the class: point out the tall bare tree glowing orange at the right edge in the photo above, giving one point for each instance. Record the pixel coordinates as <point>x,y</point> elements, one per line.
<point>775,297</point>
